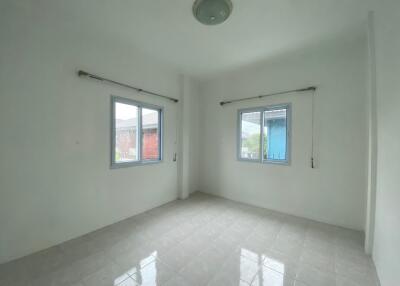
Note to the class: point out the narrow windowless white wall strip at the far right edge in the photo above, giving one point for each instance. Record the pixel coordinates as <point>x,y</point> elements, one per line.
<point>387,221</point>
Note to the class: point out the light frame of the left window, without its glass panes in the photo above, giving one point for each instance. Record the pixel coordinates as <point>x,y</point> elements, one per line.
<point>140,106</point>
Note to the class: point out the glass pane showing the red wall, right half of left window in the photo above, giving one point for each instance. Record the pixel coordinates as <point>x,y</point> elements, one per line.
<point>150,134</point>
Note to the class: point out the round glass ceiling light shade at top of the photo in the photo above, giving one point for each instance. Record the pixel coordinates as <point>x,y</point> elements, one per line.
<point>212,12</point>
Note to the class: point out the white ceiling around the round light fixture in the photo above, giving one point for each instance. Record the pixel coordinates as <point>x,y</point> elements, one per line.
<point>257,29</point>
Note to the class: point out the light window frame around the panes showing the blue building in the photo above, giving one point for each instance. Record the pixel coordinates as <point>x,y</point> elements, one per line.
<point>288,108</point>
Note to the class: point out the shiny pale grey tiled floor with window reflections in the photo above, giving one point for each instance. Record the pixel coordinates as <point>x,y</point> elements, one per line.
<point>203,240</point>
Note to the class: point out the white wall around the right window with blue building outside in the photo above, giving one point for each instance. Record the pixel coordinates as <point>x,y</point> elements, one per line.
<point>334,192</point>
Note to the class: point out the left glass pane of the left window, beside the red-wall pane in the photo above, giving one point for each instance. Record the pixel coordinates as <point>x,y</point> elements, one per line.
<point>126,133</point>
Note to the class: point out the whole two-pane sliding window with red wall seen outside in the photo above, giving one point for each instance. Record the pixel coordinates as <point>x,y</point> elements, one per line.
<point>136,133</point>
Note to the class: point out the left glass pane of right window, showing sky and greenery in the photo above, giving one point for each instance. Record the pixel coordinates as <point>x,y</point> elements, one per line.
<point>250,135</point>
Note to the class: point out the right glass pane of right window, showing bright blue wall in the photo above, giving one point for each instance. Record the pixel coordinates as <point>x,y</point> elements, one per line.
<point>275,134</point>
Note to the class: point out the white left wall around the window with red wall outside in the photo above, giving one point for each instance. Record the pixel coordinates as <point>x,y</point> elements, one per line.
<point>55,180</point>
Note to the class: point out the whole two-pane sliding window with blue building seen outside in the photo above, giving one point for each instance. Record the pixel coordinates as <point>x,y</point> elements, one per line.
<point>267,127</point>
